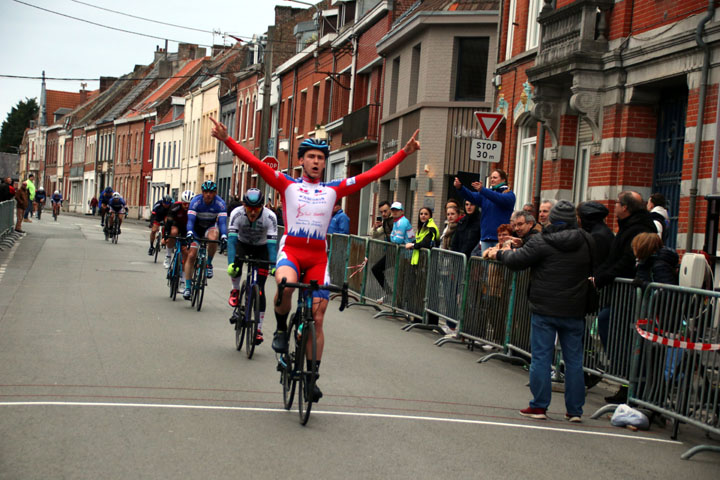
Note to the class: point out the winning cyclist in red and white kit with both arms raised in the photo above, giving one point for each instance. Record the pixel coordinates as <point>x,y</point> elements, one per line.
<point>307,209</point>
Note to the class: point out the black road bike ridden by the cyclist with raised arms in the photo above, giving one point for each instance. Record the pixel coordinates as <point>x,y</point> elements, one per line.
<point>293,366</point>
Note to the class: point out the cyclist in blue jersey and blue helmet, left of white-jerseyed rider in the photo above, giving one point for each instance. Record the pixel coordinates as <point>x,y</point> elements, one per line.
<point>207,213</point>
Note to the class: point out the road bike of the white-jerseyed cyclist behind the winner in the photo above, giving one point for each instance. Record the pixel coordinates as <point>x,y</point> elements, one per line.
<point>246,315</point>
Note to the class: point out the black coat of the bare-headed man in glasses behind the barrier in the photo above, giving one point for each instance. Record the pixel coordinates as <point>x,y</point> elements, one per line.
<point>620,262</point>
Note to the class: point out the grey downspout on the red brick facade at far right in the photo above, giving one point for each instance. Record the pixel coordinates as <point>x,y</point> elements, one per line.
<point>699,128</point>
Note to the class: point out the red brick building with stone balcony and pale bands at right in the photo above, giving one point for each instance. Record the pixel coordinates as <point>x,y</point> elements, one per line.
<point>613,90</point>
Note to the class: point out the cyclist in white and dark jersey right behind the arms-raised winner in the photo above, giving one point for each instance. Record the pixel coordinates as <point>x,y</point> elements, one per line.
<point>252,232</point>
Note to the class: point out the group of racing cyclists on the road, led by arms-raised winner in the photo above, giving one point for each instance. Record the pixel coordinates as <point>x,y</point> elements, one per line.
<point>252,230</point>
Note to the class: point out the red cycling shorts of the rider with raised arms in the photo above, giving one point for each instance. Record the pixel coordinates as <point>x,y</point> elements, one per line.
<point>308,257</point>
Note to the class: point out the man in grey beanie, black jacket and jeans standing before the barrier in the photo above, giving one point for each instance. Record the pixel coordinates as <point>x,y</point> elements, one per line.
<point>559,262</point>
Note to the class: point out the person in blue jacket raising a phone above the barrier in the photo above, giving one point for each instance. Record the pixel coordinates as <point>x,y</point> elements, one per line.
<point>496,203</point>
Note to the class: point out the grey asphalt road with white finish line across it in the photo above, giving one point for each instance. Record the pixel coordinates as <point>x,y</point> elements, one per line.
<point>103,376</point>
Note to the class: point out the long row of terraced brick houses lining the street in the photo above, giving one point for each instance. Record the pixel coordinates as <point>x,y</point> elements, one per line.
<point>597,96</point>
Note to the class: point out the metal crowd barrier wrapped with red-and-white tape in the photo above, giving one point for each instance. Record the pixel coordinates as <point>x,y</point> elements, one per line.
<point>676,369</point>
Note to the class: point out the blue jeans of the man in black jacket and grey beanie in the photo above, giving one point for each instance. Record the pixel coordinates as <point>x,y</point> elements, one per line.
<point>542,341</point>
